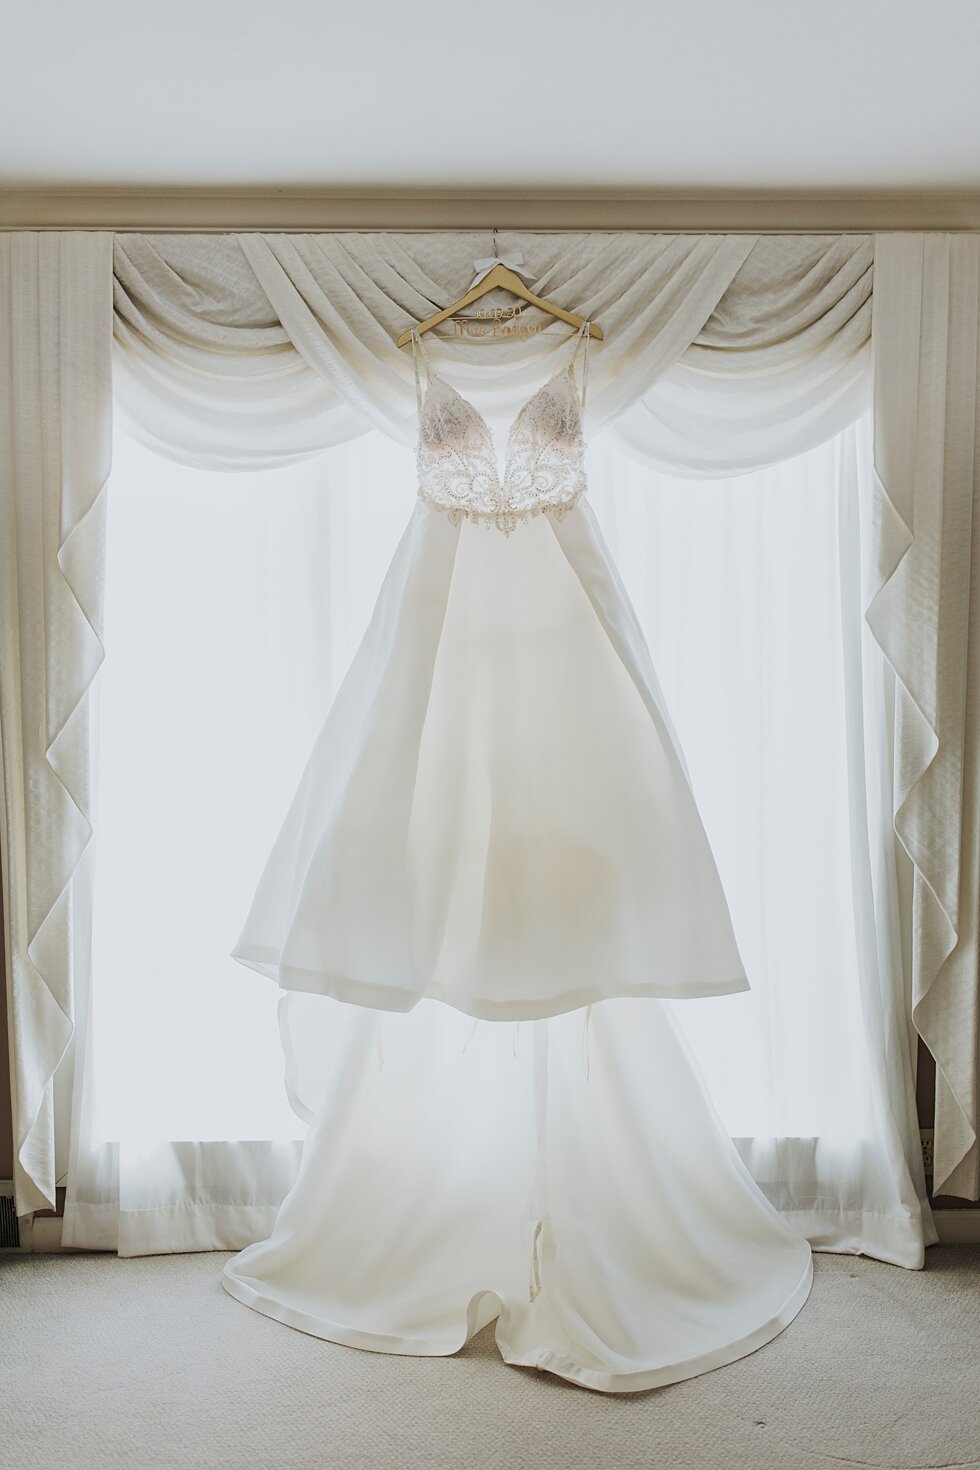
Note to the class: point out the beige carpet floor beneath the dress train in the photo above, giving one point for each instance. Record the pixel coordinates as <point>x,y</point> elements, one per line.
<point>149,1363</point>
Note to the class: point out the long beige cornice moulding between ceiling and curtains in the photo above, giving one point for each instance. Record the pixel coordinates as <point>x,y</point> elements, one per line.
<point>230,211</point>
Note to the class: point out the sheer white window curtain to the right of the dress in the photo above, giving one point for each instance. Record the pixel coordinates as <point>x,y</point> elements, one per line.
<point>752,595</point>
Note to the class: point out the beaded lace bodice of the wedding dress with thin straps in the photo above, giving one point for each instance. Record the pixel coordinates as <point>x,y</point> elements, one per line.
<point>544,461</point>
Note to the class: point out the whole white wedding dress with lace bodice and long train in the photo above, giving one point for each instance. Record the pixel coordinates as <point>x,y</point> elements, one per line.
<point>491,878</point>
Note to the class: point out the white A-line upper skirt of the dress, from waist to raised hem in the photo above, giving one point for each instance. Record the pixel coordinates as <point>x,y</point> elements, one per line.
<point>496,814</point>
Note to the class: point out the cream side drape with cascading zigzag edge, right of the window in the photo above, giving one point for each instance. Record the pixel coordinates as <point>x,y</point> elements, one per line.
<point>926,618</point>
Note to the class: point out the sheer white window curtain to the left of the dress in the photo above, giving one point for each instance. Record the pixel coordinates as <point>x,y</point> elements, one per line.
<point>208,708</point>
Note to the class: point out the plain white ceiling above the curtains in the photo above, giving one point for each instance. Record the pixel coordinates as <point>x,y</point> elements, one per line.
<point>700,95</point>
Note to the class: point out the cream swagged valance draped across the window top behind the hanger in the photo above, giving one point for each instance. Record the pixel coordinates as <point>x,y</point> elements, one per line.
<point>261,349</point>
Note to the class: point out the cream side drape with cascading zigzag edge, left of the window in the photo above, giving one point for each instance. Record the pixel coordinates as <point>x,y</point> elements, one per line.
<point>55,453</point>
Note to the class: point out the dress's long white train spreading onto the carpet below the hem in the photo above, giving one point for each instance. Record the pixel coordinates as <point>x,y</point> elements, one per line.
<point>568,1178</point>
